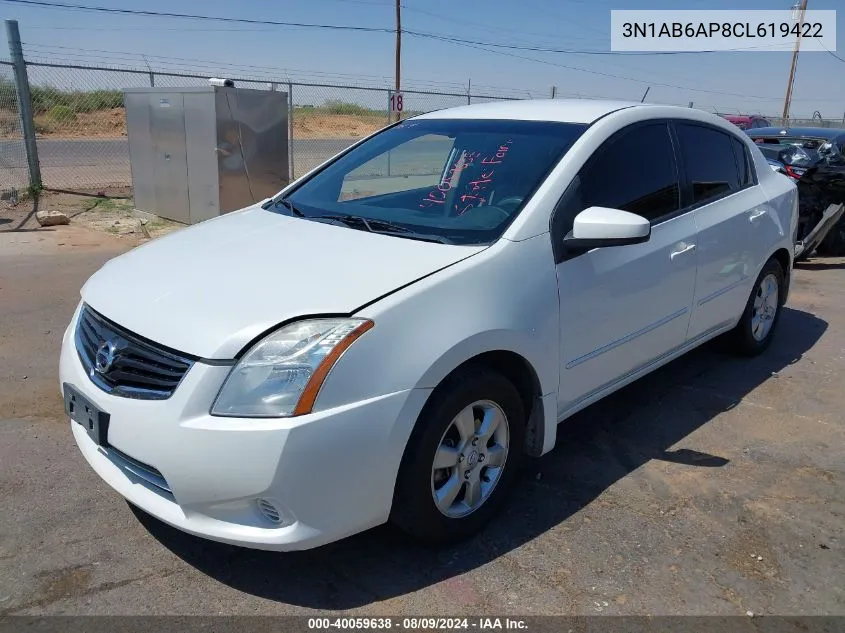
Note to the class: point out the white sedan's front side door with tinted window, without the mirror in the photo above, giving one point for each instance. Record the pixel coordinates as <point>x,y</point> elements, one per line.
<point>624,308</point>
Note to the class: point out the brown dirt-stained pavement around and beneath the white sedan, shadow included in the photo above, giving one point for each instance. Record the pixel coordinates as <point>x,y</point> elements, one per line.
<point>714,486</point>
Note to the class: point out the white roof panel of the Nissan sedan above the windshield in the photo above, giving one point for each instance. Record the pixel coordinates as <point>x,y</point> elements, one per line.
<point>558,110</point>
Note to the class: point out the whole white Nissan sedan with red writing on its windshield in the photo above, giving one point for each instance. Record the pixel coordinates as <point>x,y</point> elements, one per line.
<point>387,337</point>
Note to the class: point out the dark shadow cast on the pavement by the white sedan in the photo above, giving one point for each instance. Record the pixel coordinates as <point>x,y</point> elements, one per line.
<point>595,449</point>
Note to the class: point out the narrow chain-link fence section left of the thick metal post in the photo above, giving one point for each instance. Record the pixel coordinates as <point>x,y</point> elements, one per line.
<point>13,167</point>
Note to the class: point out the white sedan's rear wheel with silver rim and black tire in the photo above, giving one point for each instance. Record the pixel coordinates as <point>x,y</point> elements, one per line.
<point>759,320</point>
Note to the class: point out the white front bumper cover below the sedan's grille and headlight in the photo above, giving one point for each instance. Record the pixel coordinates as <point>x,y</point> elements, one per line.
<point>329,474</point>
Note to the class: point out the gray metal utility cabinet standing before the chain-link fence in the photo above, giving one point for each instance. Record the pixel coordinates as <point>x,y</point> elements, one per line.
<point>197,153</point>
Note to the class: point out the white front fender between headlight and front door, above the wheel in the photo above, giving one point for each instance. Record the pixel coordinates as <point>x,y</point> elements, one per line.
<point>504,298</point>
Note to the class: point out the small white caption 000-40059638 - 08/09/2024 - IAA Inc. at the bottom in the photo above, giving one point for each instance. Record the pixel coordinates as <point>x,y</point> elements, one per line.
<point>417,624</point>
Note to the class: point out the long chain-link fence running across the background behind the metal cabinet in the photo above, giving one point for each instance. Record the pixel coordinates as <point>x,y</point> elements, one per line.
<point>81,126</point>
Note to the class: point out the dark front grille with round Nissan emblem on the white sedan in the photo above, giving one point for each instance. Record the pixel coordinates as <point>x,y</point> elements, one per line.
<point>124,364</point>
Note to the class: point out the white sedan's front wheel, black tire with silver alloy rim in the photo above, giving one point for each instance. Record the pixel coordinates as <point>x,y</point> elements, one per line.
<point>461,458</point>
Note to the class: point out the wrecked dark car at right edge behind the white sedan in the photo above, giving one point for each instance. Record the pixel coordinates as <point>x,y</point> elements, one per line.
<point>815,159</point>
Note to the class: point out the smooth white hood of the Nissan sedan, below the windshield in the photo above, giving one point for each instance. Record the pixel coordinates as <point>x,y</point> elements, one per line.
<point>209,289</point>
